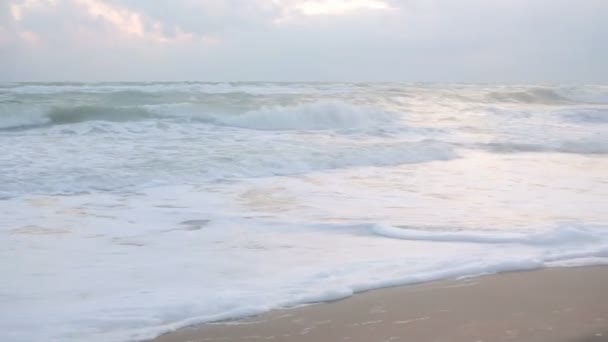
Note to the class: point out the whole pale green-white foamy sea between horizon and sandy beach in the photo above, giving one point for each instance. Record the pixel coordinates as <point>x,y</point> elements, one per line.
<point>131,209</point>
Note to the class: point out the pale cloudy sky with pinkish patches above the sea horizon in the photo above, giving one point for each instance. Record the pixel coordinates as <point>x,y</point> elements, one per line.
<point>305,40</point>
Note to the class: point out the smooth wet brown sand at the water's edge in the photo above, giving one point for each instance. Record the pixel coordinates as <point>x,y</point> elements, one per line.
<point>553,305</point>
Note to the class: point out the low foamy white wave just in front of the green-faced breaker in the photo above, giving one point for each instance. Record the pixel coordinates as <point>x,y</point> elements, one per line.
<point>209,161</point>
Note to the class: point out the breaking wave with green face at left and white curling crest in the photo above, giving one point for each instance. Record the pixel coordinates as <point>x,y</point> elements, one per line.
<point>313,116</point>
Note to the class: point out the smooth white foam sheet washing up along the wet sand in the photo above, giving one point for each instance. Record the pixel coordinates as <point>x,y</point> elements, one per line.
<point>151,272</point>
